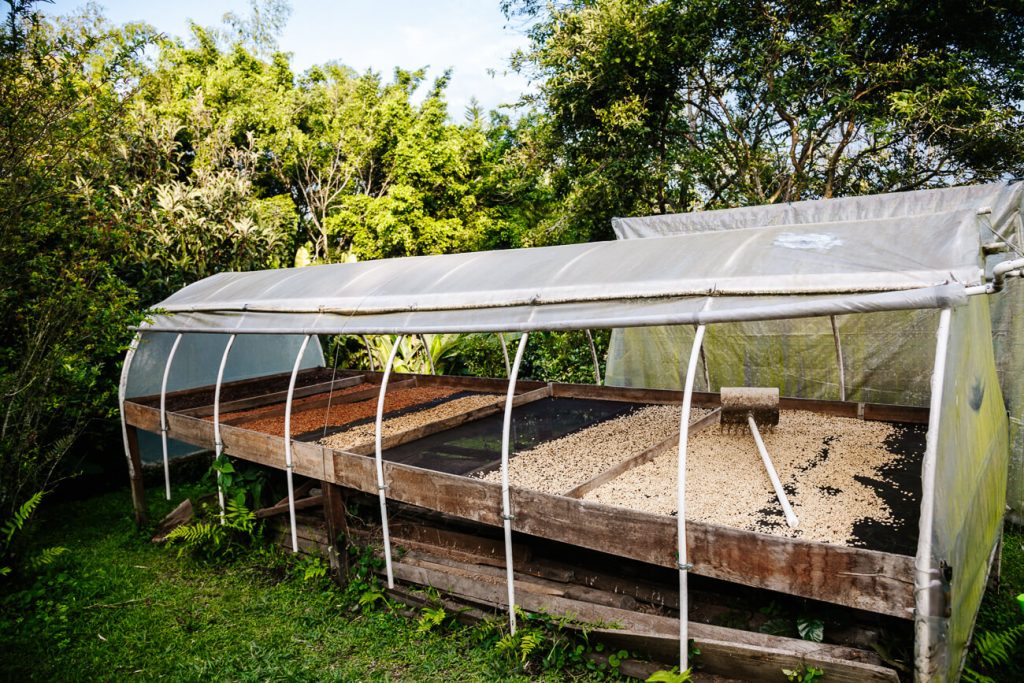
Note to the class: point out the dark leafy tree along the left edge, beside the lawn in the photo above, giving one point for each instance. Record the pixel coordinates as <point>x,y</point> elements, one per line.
<point>63,92</point>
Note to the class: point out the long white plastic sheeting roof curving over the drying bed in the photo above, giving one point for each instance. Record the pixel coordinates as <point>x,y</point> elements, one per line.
<point>756,273</point>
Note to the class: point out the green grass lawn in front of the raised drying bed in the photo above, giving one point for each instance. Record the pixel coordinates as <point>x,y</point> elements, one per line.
<point>120,608</point>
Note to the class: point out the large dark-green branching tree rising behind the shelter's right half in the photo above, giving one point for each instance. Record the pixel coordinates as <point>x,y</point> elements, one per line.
<point>680,105</point>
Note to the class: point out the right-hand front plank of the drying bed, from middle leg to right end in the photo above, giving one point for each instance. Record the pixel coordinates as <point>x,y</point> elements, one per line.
<point>854,577</point>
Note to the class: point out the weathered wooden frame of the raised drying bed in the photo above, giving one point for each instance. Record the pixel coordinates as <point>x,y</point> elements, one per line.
<point>873,581</point>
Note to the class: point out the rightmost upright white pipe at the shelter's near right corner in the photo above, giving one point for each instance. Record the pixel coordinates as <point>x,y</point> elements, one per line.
<point>925,574</point>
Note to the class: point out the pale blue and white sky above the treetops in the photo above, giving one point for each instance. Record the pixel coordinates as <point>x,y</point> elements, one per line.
<point>468,36</point>
